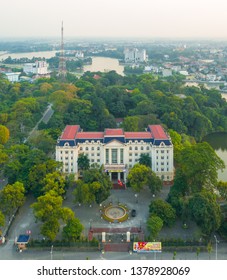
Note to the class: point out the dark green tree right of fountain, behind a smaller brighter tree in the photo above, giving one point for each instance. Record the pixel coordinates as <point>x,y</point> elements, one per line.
<point>163,210</point>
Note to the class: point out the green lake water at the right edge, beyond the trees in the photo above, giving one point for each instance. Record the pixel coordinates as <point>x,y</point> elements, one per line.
<point>219,143</point>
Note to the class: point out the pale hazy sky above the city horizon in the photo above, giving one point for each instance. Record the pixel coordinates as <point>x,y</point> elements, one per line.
<point>114,18</point>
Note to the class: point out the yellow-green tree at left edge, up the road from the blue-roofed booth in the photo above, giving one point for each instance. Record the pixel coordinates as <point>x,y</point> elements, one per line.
<point>12,197</point>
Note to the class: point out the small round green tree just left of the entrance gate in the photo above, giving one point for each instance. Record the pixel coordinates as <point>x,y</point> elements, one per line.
<point>72,230</point>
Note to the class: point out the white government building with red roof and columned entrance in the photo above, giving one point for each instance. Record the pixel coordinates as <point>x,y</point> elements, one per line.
<point>116,150</point>
